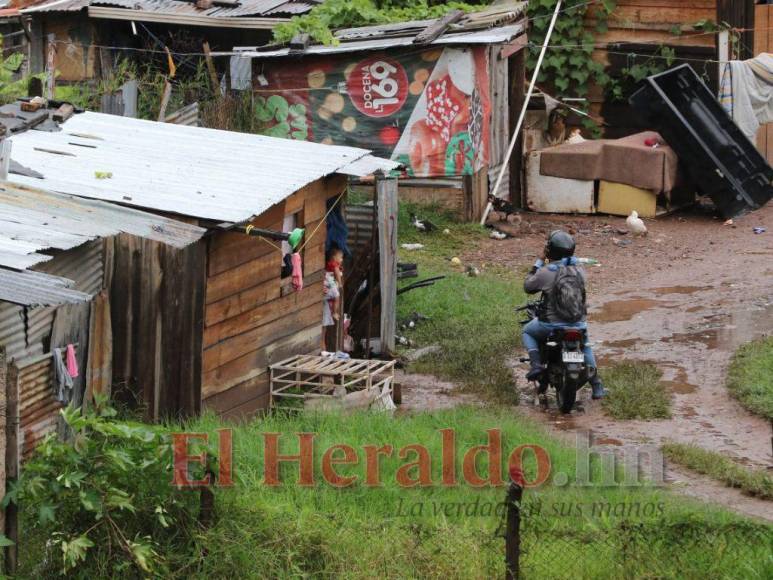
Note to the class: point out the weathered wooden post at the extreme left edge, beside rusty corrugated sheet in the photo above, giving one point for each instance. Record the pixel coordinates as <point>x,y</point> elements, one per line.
<point>12,465</point>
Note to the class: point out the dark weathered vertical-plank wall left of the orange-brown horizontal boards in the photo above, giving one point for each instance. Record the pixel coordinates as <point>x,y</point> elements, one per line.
<point>157,317</point>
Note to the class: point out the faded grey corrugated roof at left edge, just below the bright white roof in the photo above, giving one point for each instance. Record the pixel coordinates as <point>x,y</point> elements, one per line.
<point>32,220</point>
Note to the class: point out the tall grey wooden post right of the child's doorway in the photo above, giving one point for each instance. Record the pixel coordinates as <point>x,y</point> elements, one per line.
<point>386,189</point>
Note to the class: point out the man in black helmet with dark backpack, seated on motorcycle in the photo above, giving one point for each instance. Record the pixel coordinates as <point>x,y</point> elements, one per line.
<point>563,268</point>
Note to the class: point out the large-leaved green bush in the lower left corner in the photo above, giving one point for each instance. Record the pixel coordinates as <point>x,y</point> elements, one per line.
<point>105,501</point>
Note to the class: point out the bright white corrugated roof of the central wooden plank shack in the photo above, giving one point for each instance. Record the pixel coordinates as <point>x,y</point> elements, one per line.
<point>205,173</point>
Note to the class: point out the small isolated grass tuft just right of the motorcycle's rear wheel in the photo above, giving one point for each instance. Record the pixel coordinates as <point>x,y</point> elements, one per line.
<point>635,392</point>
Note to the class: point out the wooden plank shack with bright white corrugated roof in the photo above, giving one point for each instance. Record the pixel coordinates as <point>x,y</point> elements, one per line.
<point>197,327</point>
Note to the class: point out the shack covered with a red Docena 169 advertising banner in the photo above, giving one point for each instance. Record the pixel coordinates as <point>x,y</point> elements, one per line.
<point>440,96</point>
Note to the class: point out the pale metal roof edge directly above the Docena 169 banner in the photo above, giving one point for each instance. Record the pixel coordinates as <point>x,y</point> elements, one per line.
<point>489,36</point>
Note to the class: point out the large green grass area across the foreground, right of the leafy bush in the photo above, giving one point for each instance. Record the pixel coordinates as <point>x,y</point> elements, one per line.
<point>358,532</point>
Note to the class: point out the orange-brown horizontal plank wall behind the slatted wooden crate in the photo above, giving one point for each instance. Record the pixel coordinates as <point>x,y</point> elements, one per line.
<point>253,318</point>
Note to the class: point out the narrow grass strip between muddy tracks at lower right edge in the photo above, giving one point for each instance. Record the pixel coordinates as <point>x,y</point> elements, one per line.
<point>755,482</point>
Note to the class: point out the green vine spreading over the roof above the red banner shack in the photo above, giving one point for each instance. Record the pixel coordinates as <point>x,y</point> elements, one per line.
<point>320,22</point>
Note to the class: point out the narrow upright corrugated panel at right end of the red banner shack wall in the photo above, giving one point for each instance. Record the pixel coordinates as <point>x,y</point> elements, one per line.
<point>500,121</point>
